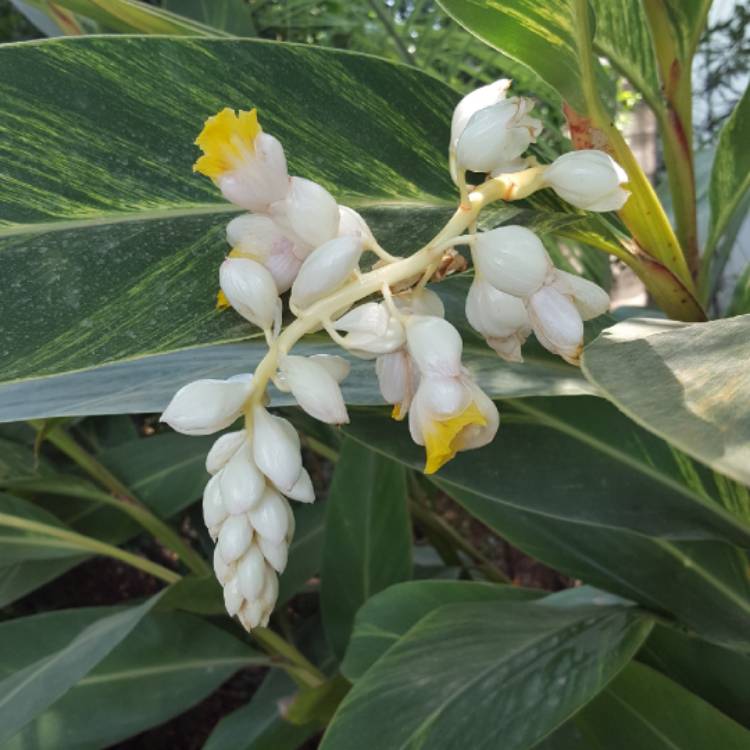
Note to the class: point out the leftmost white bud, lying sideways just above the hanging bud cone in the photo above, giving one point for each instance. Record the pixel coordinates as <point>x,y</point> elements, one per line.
<point>207,406</point>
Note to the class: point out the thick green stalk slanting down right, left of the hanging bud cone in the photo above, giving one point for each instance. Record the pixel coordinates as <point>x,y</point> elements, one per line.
<point>127,502</point>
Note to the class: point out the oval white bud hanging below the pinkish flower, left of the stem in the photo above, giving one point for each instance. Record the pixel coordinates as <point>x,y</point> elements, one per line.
<point>251,290</point>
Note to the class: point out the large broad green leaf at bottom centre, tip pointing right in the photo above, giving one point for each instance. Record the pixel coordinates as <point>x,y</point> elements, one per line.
<point>482,676</point>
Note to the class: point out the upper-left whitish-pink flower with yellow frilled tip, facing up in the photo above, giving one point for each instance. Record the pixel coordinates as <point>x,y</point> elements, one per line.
<point>248,165</point>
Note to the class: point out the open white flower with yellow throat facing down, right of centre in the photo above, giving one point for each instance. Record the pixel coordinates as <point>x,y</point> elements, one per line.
<point>450,414</point>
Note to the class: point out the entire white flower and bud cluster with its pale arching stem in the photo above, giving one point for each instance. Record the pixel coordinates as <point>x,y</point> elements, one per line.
<point>298,240</point>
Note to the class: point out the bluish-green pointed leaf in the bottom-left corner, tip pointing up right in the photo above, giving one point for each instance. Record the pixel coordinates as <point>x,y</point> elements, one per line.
<point>45,655</point>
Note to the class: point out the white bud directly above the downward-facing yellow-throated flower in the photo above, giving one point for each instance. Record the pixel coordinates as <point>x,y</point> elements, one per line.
<point>435,345</point>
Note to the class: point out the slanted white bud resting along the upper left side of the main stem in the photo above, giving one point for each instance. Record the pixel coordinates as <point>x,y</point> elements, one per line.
<point>326,269</point>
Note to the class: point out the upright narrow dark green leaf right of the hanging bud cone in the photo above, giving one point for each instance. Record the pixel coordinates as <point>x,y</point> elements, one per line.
<point>367,540</point>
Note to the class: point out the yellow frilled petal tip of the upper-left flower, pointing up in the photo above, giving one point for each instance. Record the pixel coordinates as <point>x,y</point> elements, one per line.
<point>224,138</point>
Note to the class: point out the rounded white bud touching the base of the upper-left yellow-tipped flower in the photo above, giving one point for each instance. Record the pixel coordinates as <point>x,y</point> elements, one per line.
<point>309,211</point>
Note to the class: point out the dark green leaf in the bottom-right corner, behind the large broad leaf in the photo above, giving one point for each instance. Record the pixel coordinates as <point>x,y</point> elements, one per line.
<point>645,710</point>
